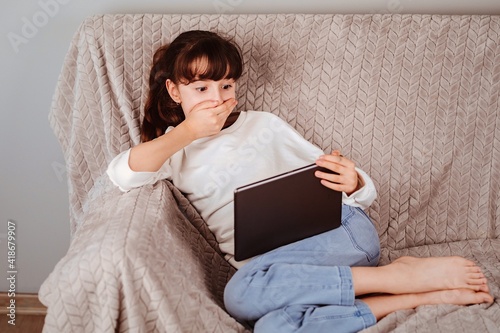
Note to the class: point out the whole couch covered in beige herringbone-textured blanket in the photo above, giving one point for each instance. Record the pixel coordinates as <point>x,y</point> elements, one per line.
<point>413,99</point>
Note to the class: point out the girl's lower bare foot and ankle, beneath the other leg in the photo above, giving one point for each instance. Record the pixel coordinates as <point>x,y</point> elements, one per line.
<point>382,305</point>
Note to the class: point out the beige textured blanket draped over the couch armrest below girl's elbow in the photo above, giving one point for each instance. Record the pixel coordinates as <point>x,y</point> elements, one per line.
<point>137,264</point>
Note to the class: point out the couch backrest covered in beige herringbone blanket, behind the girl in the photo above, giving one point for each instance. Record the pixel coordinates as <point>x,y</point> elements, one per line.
<point>413,99</point>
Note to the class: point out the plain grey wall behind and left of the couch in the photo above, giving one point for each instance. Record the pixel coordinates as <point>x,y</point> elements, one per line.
<point>35,37</point>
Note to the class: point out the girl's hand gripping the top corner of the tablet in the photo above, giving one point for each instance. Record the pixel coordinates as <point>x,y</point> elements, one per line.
<point>347,178</point>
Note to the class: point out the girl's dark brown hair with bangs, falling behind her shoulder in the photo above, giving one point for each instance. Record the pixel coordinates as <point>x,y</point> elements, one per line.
<point>177,61</point>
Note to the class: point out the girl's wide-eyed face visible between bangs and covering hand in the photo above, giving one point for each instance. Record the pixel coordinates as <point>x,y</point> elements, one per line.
<point>191,94</point>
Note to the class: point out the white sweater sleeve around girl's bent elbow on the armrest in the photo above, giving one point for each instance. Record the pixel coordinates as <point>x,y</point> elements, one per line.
<point>126,179</point>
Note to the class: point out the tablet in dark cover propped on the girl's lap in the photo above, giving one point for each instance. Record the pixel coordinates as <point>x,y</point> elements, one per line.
<point>283,209</point>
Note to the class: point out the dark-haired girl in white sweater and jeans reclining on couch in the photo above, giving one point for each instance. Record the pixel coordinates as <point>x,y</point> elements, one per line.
<point>191,136</point>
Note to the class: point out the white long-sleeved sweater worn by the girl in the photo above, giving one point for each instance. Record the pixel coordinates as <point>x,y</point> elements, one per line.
<point>257,146</point>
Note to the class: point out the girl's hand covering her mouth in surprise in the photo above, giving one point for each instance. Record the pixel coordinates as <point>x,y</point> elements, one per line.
<point>207,118</point>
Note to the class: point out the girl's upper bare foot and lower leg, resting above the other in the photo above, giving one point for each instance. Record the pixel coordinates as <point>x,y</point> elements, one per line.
<point>417,275</point>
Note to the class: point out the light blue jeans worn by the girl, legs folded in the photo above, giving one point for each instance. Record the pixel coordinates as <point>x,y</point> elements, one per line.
<point>307,286</point>
